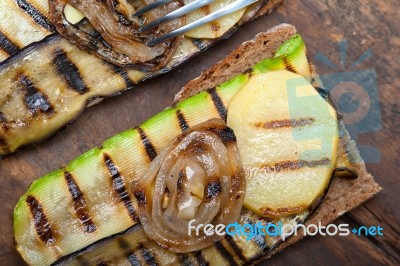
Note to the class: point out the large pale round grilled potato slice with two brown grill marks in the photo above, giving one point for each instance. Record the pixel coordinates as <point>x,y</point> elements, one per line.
<point>287,135</point>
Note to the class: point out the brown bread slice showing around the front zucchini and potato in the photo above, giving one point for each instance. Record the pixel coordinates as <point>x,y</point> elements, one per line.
<point>343,194</point>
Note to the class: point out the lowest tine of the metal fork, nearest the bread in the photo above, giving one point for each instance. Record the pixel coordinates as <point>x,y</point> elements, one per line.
<point>239,4</point>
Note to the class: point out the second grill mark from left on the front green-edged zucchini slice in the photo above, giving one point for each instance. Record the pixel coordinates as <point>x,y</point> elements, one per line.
<point>80,204</point>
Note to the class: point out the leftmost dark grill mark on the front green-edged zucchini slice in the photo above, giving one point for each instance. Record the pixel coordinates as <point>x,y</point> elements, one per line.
<point>42,225</point>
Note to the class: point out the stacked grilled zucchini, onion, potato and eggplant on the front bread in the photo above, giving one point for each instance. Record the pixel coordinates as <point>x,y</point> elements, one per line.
<point>287,147</point>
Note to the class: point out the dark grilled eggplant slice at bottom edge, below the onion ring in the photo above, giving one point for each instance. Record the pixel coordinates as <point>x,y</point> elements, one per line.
<point>132,246</point>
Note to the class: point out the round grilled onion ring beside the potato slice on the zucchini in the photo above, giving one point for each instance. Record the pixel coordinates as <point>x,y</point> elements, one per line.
<point>207,157</point>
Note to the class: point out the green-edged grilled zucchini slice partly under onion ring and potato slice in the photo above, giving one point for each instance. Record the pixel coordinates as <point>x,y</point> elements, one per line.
<point>90,199</point>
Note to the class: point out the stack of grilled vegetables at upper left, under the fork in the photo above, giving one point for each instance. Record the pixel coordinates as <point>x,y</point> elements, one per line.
<point>46,82</point>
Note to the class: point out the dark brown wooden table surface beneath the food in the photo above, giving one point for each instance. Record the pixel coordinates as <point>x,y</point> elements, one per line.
<point>365,25</point>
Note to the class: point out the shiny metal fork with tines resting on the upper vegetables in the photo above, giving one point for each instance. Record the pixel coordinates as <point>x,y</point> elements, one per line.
<point>238,4</point>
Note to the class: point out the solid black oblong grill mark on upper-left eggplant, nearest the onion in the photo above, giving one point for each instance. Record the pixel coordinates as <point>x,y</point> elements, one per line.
<point>66,68</point>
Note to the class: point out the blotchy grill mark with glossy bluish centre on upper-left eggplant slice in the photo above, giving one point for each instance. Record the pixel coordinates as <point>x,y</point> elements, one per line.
<point>34,99</point>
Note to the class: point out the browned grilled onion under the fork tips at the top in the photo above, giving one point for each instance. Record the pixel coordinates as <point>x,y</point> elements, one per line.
<point>120,41</point>
